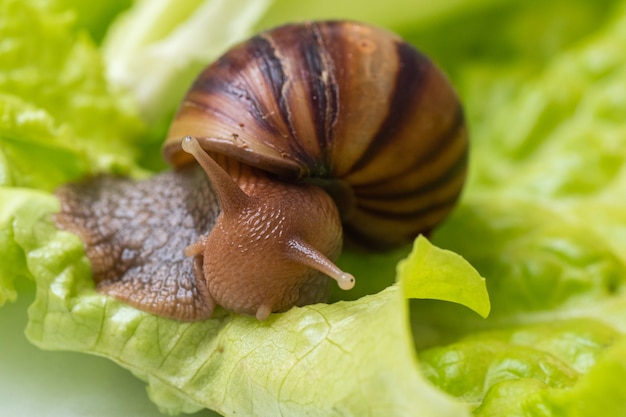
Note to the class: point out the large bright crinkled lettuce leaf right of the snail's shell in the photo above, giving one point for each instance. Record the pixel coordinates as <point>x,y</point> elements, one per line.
<point>563,167</point>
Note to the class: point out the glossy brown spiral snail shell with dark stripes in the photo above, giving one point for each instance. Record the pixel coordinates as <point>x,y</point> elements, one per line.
<point>346,105</point>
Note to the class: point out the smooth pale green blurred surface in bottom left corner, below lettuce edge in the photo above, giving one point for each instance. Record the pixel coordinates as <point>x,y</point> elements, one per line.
<point>65,384</point>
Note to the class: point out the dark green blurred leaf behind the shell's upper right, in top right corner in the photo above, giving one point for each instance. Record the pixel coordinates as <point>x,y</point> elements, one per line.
<point>489,70</point>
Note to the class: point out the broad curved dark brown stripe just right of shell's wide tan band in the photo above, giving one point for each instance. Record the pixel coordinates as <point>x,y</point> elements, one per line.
<point>410,80</point>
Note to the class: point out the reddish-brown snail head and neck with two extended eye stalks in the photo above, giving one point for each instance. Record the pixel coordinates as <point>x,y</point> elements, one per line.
<point>280,236</point>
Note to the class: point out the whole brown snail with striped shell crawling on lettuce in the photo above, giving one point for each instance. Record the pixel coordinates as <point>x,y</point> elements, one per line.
<point>303,133</point>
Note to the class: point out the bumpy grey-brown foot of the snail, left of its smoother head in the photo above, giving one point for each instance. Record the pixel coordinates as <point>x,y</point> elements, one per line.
<point>135,233</point>
